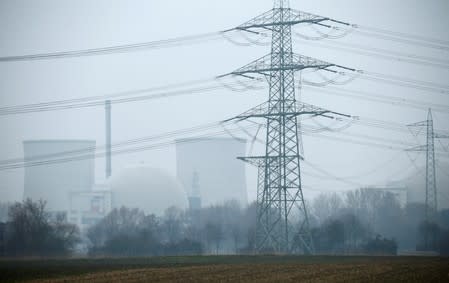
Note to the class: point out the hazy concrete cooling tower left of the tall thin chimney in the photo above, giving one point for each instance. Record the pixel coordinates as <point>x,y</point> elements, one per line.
<point>55,182</point>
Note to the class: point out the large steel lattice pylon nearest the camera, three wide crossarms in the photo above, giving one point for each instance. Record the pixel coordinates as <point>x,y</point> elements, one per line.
<point>280,196</point>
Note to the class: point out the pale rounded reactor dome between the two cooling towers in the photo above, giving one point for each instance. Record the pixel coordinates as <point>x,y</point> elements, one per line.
<point>150,189</point>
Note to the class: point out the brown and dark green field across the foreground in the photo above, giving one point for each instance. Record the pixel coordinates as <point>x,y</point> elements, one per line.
<point>231,269</point>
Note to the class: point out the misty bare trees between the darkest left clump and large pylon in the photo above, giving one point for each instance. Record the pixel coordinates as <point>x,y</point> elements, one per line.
<point>225,228</point>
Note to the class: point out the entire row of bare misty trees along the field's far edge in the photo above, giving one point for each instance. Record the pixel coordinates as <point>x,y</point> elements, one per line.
<point>358,222</point>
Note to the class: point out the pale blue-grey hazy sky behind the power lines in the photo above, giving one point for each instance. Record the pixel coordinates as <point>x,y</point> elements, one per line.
<point>47,26</point>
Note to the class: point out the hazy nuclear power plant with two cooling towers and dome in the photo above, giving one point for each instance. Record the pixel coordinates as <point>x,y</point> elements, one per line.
<point>207,173</point>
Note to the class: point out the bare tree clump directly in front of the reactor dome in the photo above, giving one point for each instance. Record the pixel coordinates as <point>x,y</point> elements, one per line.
<point>129,232</point>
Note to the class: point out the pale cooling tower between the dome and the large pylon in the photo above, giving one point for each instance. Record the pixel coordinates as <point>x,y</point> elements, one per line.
<point>209,167</point>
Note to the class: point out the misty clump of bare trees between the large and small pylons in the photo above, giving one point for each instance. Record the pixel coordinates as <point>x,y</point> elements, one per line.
<point>354,223</point>
